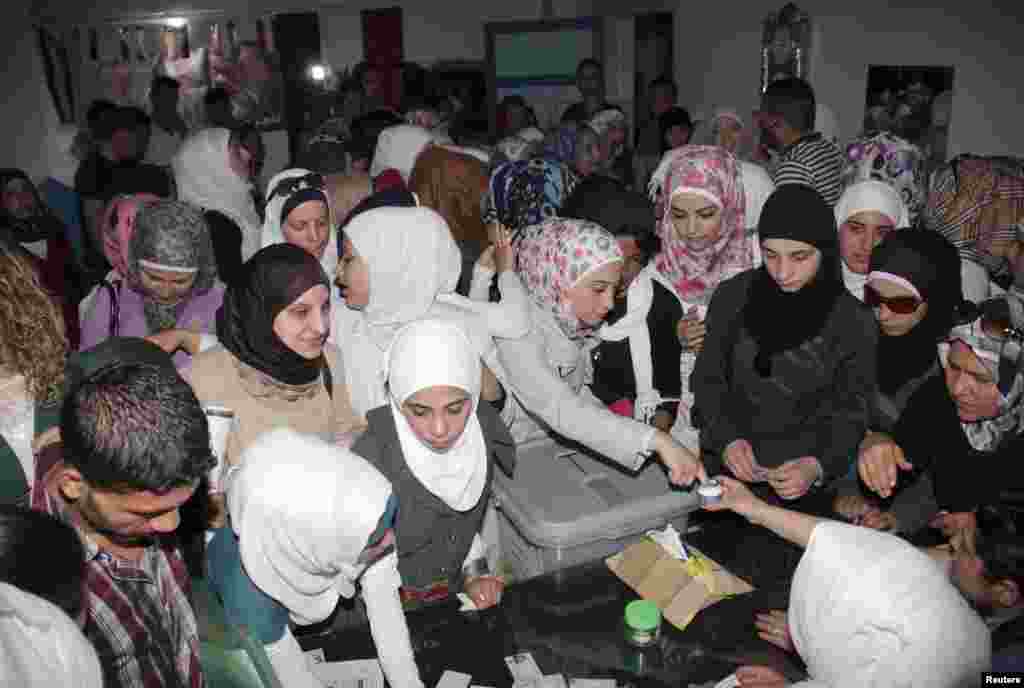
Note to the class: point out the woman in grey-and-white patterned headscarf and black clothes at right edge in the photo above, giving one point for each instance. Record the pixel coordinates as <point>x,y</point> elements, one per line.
<point>964,428</point>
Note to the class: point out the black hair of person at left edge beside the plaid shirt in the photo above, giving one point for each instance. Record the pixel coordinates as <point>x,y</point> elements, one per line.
<point>44,556</point>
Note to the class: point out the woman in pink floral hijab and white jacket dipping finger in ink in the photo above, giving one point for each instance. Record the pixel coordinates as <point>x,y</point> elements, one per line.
<point>572,270</point>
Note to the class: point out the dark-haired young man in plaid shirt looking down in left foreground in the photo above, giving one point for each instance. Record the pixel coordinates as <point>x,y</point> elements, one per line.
<point>135,445</point>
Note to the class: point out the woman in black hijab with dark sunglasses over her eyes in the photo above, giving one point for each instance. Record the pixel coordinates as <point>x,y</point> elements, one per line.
<point>914,288</point>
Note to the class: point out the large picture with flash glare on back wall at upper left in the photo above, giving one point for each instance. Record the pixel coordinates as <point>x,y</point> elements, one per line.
<point>202,54</point>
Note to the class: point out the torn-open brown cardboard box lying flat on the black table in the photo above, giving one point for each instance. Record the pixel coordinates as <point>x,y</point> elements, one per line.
<point>680,589</point>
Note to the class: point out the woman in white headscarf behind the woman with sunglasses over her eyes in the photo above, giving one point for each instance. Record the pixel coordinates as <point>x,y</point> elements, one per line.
<point>867,212</point>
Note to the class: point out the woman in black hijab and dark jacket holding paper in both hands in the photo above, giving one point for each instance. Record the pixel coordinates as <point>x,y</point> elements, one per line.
<point>784,383</point>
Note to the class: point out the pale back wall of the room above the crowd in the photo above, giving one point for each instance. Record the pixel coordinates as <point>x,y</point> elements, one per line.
<point>717,54</point>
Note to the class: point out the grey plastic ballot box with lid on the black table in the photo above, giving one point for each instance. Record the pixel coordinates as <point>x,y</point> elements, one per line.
<point>566,506</point>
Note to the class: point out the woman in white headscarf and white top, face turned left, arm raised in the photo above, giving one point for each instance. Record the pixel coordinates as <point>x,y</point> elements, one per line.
<point>399,266</point>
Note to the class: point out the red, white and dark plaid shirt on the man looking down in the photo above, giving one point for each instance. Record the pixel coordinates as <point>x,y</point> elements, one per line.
<point>139,615</point>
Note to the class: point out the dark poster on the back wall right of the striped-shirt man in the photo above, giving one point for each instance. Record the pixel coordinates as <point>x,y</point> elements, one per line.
<point>913,103</point>
